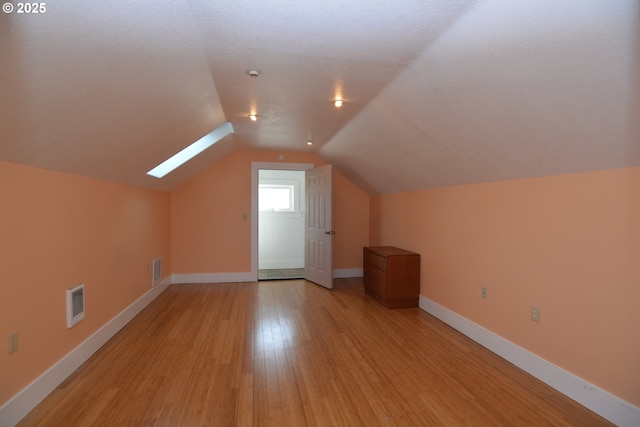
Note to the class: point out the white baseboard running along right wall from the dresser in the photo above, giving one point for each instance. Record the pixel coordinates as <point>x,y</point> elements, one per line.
<point>592,397</point>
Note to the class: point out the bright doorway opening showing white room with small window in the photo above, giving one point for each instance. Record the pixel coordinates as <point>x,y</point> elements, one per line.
<point>281,224</point>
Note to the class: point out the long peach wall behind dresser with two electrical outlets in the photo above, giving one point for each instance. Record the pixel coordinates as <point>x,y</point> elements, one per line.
<point>569,244</point>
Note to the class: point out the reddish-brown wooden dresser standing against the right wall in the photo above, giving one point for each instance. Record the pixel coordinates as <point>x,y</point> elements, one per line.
<point>392,276</point>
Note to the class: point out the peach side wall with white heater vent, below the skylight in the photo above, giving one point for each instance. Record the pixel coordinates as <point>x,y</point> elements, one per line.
<point>58,230</point>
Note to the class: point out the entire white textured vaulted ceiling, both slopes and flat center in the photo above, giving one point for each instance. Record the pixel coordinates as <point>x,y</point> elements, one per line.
<point>437,92</point>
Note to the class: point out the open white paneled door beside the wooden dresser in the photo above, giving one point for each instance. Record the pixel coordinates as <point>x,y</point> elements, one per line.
<point>319,232</point>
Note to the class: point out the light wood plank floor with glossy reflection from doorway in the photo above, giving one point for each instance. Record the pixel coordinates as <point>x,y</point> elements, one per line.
<point>292,353</point>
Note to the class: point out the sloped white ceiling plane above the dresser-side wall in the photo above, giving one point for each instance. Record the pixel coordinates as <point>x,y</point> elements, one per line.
<point>513,89</point>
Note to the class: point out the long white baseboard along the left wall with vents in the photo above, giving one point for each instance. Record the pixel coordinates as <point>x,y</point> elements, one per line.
<point>29,397</point>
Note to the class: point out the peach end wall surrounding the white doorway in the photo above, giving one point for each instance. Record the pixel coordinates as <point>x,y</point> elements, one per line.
<point>209,233</point>
